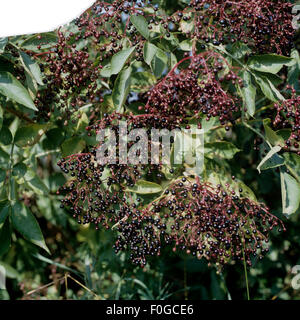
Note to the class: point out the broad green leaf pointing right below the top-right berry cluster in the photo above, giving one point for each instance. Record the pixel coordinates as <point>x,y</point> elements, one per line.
<point>271,63</point>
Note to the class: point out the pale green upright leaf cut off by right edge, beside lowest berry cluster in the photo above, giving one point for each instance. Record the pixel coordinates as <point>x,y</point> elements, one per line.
<point>290,190</point>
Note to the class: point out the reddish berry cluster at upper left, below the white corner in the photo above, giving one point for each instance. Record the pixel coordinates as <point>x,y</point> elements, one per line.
<point>71,80</point>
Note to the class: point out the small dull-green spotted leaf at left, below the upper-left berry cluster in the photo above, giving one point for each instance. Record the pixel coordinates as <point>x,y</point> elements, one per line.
<point>29,135</point>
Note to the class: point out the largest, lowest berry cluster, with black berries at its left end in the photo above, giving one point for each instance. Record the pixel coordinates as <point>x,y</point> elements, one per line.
<point>200,219</point>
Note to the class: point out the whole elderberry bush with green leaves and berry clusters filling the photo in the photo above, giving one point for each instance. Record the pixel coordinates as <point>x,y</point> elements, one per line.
<point>228,68</point>
